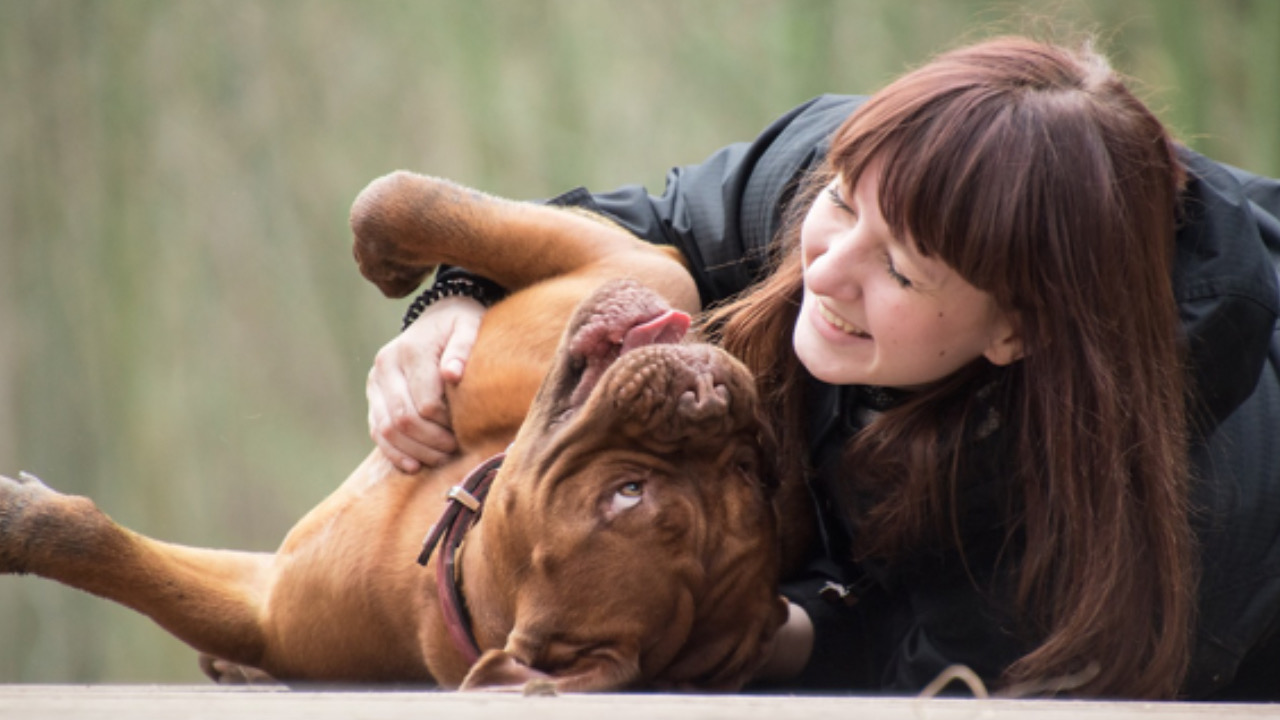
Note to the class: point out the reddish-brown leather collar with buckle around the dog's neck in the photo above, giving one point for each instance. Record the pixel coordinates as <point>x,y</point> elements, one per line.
<point>461,512</point>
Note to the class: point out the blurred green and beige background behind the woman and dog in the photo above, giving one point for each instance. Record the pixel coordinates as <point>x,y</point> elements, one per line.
<point>185,336</point>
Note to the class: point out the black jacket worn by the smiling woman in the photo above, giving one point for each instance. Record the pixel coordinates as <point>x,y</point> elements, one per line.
<point>913,621</point>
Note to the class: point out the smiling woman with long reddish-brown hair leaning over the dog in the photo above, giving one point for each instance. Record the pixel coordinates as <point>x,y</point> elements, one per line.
<point>1011,332</point>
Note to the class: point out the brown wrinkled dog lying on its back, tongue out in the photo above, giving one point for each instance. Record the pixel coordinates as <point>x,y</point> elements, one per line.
<point>627,541</point>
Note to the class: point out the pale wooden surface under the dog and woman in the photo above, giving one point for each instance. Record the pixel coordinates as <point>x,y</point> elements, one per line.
<point>168,703</point>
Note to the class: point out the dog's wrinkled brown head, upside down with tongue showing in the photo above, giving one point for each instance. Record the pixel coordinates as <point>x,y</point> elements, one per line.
<point>633,516</point>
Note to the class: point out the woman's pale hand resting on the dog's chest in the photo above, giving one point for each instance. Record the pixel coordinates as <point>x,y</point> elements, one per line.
<point>409,416</point>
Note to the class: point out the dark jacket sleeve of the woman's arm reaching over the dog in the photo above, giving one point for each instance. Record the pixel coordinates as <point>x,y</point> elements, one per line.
<point>724,213</point>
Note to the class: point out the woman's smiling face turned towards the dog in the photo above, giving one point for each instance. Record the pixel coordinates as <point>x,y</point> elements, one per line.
<point>876,312</point>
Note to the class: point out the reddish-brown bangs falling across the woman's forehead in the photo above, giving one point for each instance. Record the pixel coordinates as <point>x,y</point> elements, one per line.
<point>952,168</point>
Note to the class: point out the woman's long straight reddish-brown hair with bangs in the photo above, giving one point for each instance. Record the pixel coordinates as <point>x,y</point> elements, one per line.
<point>1037,176</point>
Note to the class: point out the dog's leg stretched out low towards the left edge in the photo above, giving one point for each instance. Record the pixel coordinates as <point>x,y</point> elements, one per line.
<point>209,599</point>
